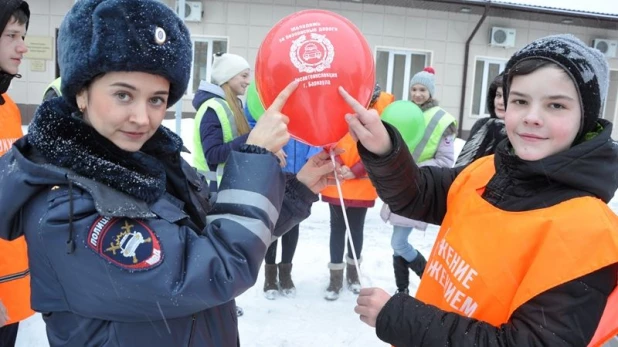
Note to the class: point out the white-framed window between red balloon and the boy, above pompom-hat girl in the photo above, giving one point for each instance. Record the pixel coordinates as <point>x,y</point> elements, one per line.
<point>395,68</point>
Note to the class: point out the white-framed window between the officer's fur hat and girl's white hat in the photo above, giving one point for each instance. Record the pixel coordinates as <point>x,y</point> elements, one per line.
<point>203,50</point>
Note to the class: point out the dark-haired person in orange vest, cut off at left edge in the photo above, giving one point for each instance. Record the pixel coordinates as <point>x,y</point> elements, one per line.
<point>14,271</point>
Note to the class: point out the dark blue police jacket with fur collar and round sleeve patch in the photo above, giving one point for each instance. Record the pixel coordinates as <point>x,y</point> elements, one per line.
<point>125,248</point>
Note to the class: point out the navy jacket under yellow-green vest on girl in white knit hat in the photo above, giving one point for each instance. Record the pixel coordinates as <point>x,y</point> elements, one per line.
<point>215,150</point>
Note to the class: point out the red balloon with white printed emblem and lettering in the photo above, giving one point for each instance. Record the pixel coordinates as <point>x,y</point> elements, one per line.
<point>322,50</point>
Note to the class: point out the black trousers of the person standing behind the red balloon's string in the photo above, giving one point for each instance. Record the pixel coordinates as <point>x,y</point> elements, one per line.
<point>356,218</point>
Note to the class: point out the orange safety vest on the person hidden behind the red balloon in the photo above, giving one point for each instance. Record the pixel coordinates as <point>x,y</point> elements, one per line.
<point>359,188</point>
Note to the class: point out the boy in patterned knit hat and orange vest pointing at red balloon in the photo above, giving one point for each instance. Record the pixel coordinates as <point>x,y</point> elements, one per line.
<point>527,253</point>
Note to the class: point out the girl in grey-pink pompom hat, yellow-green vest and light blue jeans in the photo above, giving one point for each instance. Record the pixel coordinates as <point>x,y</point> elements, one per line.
<point>436,148</point>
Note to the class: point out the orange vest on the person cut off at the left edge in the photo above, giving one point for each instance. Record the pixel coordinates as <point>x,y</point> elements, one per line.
<point>14,272</point>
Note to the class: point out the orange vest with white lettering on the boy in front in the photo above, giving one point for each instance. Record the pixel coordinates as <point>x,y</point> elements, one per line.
<point>487,262</point>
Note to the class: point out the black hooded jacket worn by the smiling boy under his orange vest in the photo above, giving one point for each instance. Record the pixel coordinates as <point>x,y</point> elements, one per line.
<point>565,315</point>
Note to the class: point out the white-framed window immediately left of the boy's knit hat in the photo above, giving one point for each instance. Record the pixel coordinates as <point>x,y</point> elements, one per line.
<point>486,71</point>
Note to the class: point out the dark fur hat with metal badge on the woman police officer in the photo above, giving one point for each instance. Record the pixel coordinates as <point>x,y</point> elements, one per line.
<point>99,36</point>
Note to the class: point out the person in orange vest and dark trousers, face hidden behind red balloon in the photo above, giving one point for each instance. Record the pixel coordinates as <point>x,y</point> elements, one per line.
<point>358,195</point>
